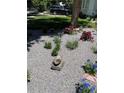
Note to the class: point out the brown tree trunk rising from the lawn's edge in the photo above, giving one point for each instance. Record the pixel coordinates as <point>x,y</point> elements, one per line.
<point>75,12</point>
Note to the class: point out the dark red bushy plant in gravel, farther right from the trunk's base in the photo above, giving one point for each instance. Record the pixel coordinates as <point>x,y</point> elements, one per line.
<point>86,36</point>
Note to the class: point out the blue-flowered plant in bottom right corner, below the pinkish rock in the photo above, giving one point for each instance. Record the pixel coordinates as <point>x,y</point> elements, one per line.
<point>86,86</point>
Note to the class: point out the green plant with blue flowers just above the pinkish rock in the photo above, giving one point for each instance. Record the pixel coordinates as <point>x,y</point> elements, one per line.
<point>90,68</point>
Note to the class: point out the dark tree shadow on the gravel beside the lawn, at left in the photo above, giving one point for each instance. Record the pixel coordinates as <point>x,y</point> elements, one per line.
<point>35,36</point>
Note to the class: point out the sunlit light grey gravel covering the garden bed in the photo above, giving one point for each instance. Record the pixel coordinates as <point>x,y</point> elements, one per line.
<point>39,60</point>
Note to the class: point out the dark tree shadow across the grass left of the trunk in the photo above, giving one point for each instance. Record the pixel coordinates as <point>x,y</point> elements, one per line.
<point>56,23</point>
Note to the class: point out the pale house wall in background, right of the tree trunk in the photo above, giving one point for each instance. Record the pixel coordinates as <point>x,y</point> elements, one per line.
<point>89,7</point>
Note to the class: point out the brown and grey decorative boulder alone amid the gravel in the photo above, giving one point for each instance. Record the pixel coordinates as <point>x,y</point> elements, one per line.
<point>57,63</point>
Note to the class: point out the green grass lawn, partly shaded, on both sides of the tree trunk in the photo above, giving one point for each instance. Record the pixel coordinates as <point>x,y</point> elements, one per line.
<point>56,22</point>
